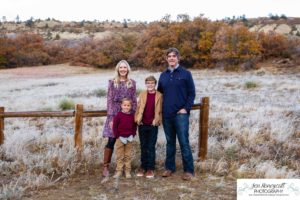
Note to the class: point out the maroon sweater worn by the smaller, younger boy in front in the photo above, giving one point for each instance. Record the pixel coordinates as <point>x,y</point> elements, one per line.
<point>124,125</point>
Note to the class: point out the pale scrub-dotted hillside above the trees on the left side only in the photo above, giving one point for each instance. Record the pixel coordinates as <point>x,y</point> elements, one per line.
<point>55,30</point>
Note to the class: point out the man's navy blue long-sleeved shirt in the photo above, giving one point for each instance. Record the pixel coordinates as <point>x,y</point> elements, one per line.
<point>178,91</point>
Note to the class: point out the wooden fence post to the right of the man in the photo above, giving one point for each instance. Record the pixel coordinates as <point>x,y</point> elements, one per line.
<point>203,128</point>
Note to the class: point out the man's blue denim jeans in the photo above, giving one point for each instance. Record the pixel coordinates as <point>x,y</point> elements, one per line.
<point>178,126</point>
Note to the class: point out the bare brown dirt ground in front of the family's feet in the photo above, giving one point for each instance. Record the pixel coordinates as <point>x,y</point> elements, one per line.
<point>93,186</point>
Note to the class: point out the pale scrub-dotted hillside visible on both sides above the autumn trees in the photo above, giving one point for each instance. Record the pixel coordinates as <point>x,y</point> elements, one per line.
<point>52,29</point>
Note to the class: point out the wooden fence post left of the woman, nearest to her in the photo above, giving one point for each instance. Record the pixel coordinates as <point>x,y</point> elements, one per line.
<point>78,126</point>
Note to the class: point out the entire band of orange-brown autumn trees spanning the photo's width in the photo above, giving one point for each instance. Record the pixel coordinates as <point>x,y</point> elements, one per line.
<point>203,44</point>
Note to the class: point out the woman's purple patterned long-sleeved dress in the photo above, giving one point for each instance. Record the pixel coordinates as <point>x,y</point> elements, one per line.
<point>114,97</point>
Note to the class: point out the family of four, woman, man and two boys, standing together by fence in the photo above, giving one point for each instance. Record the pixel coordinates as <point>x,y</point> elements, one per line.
<point>169,105</point>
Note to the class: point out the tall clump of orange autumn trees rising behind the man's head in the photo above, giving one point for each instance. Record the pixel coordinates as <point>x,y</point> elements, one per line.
<point>200,42</point>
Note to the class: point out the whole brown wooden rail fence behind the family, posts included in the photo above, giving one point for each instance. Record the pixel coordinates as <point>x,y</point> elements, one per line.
<point>79,114</point>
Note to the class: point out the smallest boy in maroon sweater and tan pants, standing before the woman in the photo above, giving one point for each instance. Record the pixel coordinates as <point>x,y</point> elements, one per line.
<point>124,129</point>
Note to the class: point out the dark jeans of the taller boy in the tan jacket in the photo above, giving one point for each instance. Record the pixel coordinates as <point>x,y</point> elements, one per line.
<point>148,138</point>
